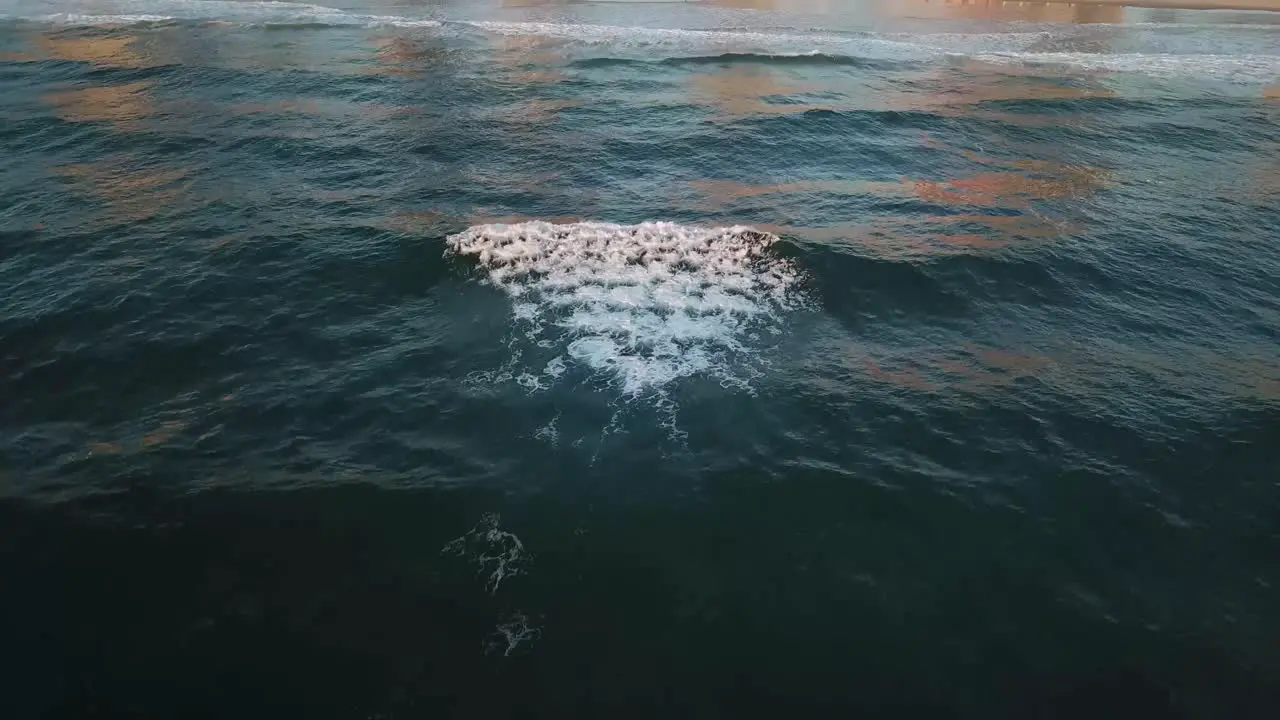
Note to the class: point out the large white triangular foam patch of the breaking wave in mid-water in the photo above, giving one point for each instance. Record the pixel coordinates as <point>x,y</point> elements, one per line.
<point>638,306</point>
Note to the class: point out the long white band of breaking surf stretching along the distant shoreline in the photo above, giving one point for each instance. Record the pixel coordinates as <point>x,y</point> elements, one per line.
<point>778,47</point>
